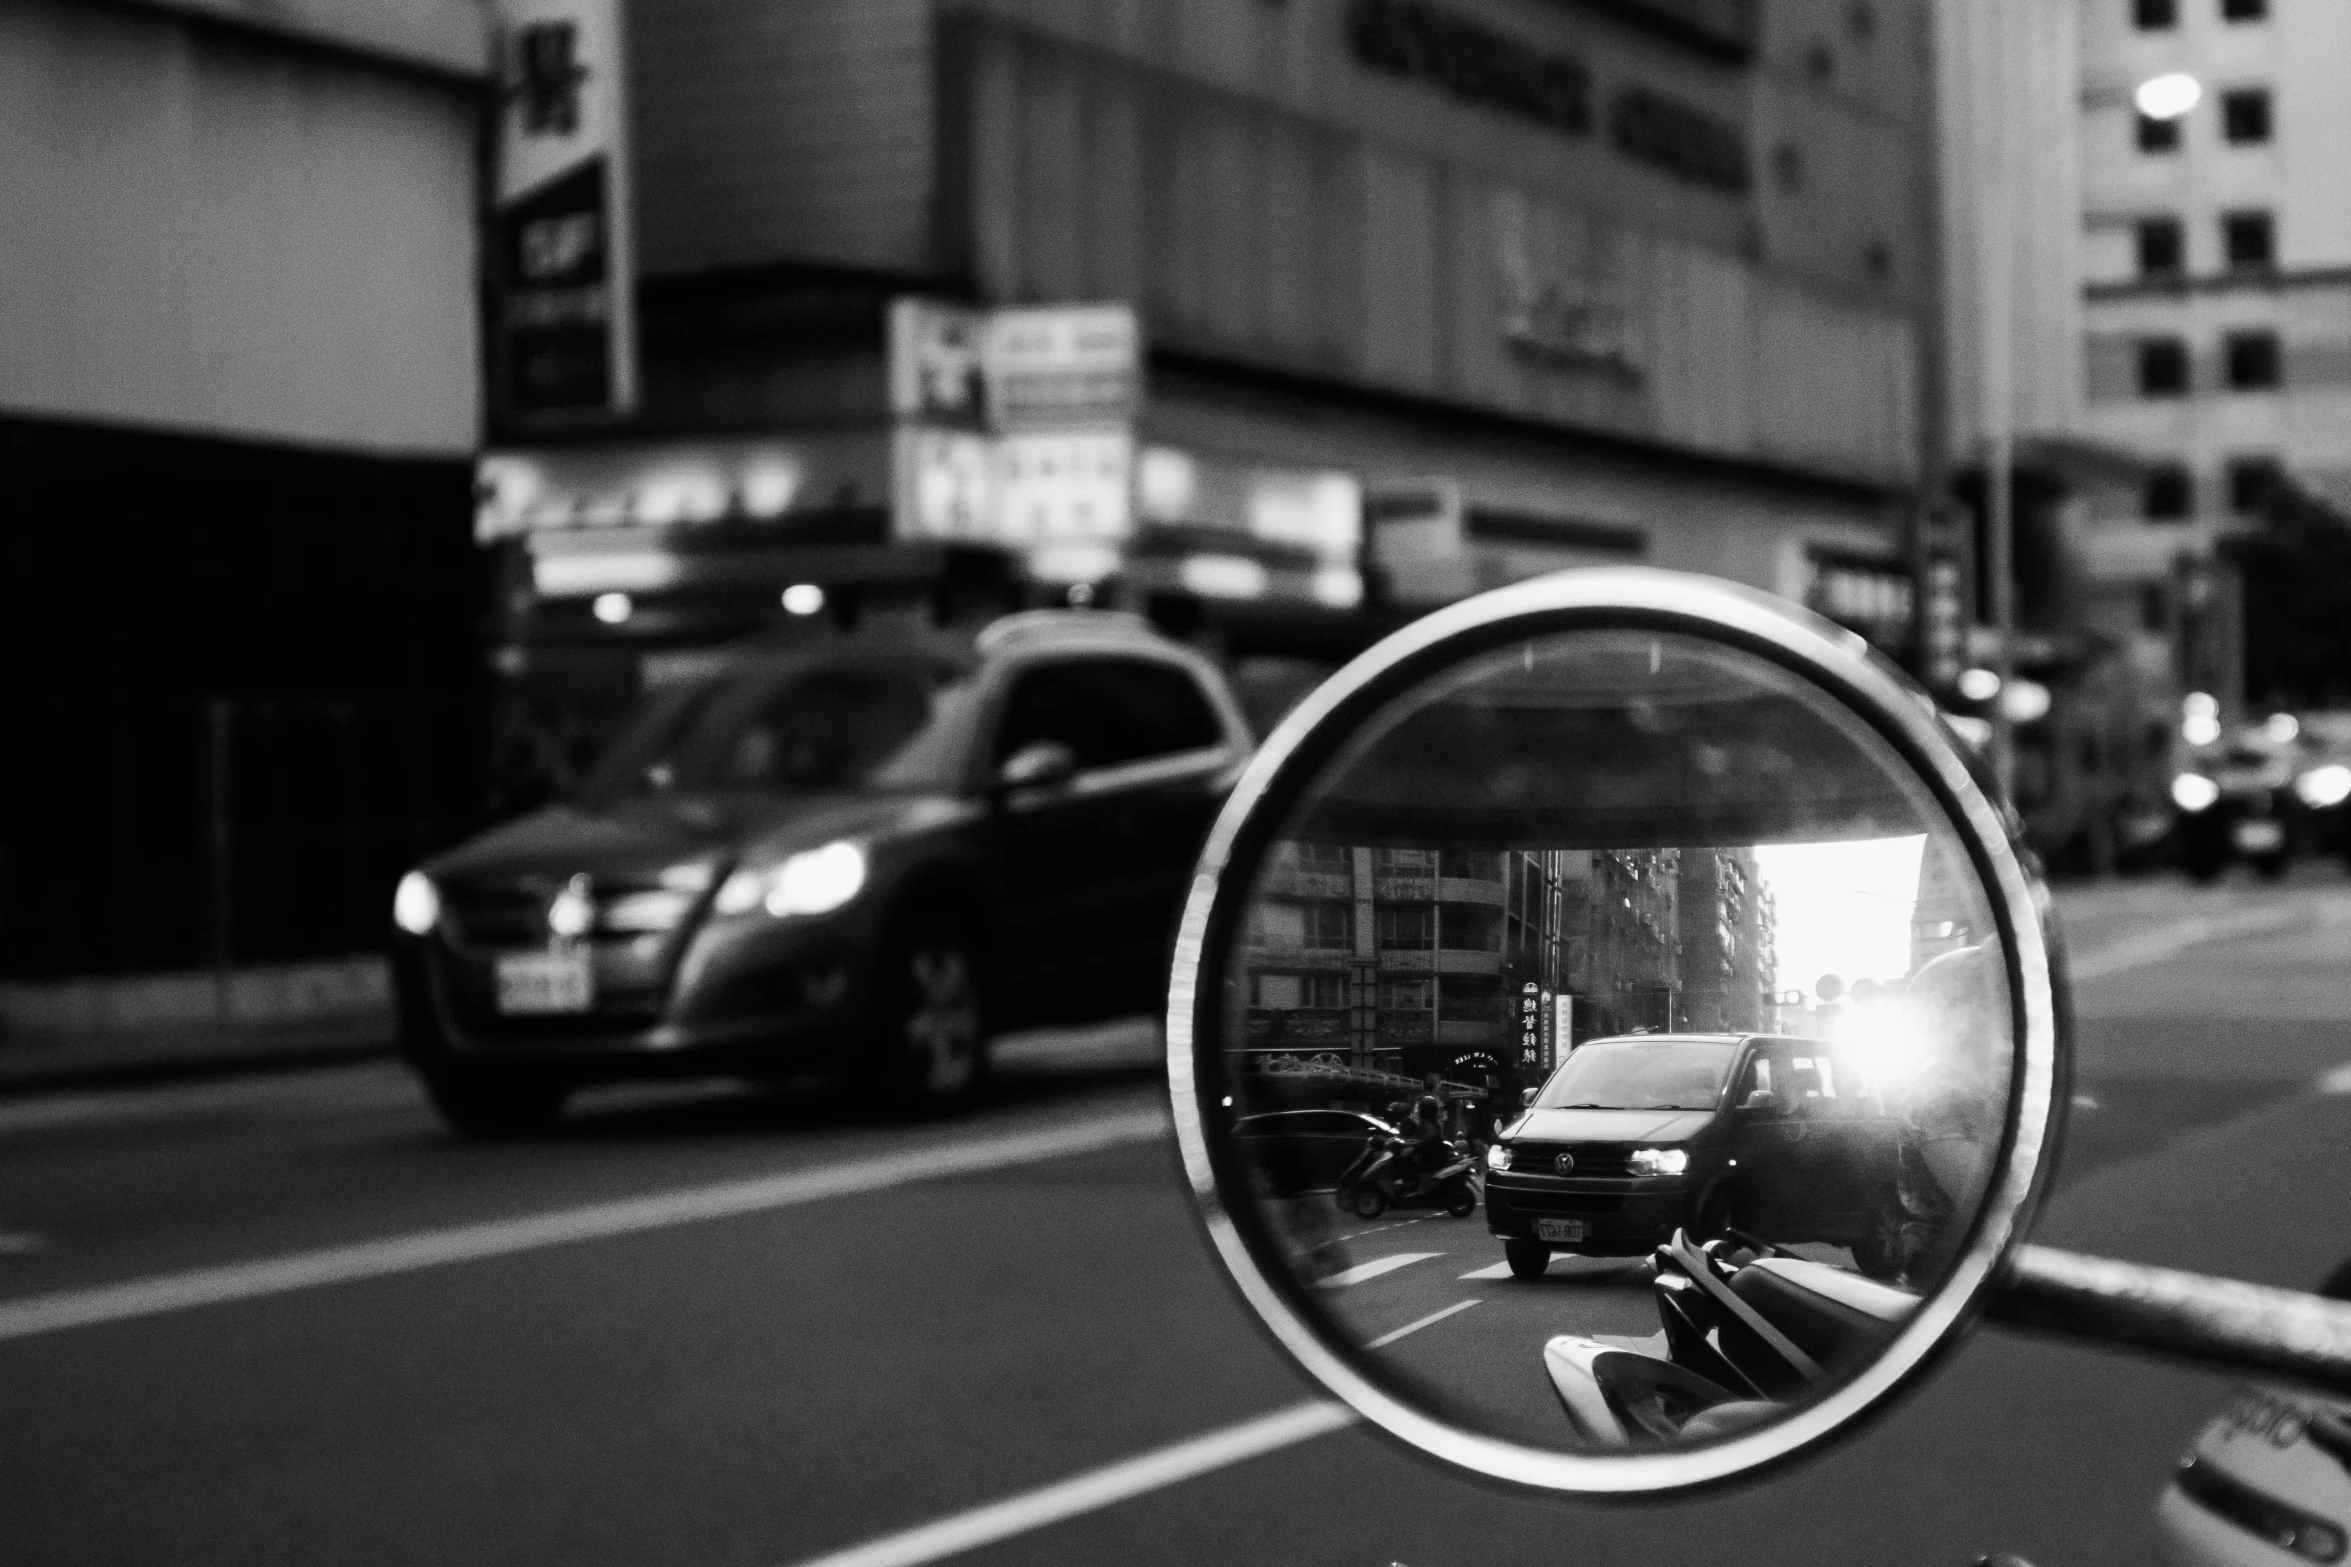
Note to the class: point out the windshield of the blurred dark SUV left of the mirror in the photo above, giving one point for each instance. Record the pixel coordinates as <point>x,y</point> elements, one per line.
<point>791,729</point>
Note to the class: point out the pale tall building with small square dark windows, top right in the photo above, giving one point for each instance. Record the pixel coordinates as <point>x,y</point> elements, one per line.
<point>2218,271</point>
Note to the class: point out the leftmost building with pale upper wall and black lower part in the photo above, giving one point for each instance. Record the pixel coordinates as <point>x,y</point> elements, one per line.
<point>239,412</point>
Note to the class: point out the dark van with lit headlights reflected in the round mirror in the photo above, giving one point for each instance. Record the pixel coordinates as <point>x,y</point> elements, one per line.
<point>1635,1138</point>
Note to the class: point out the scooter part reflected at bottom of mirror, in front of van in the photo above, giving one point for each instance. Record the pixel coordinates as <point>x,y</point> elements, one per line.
<point>1748,1329</point>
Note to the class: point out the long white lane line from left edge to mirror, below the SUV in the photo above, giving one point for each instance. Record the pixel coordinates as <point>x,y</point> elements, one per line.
<point>436,1249</point>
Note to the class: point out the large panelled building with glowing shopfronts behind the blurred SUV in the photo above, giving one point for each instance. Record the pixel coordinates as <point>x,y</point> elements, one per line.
<point>1431,295</point>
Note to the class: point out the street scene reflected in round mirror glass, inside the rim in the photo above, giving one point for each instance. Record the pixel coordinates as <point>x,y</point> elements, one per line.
<point>1616,1044</point>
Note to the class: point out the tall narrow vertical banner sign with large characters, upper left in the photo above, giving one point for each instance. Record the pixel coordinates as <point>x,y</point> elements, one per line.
<point>563,316</point>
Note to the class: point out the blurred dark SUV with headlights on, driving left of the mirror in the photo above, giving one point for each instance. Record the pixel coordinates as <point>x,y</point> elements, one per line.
<point>840,856</point>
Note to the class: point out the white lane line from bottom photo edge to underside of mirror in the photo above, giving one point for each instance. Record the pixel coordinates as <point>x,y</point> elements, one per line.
<point>1094,1491</point>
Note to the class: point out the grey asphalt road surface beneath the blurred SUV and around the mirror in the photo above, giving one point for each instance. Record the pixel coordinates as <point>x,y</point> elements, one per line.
<point>293,1321</point>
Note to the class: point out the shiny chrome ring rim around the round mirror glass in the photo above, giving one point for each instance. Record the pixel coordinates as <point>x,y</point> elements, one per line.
<point>1830,657</point>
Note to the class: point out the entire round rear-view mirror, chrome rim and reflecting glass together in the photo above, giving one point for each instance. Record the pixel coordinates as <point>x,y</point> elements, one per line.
<point>1612,1035</point>
